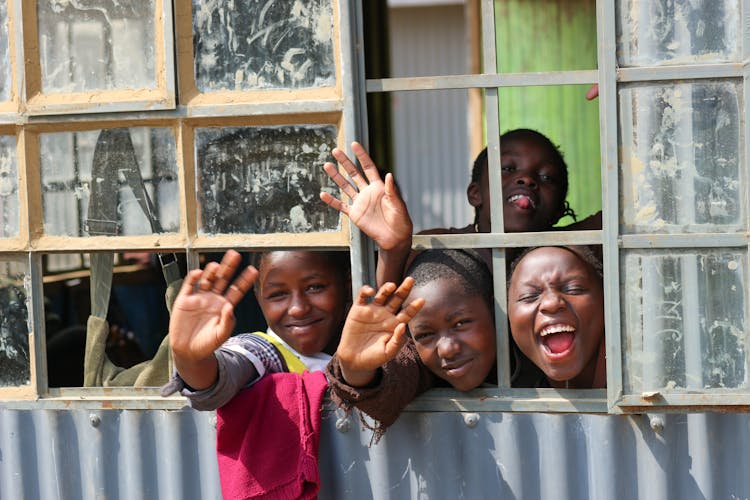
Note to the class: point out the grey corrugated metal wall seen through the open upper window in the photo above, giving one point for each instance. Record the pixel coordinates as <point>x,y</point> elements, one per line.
<point>430,137</point>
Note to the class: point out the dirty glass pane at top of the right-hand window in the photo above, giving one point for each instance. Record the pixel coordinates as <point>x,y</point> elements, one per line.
<point>660,32</point>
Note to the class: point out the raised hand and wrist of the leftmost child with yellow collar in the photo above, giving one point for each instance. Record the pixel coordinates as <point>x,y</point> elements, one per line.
<point>203,318</point>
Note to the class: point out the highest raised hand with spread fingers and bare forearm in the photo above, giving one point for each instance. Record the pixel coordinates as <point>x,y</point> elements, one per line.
<point>376,208</point>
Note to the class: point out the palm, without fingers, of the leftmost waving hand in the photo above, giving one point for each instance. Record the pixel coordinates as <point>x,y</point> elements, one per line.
<point>196,325</point>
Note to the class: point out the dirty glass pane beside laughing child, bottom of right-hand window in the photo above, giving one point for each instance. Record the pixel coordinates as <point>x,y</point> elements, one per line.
<point>685,313</point>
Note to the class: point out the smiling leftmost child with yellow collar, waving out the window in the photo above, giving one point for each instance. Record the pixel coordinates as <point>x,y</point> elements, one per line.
<point>304,296</point>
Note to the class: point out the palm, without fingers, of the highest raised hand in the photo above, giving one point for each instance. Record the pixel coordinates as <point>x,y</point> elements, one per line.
<point>381,216</point>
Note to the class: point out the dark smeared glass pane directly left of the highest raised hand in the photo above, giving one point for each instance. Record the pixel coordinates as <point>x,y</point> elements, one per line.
<point>265,179</point>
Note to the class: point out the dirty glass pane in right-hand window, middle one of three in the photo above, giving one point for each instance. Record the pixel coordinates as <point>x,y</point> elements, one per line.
<point>681,164</point>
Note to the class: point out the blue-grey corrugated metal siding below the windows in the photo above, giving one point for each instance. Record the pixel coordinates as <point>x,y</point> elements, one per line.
<point>51,454</point>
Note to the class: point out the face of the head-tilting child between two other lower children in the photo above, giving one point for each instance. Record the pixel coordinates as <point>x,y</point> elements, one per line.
<point>454,334</point>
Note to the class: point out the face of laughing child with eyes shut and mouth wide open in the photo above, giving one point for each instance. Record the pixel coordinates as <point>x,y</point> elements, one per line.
<point>556,312</point>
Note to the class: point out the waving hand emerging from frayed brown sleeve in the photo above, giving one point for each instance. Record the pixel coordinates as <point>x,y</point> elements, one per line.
<point>375,331</point>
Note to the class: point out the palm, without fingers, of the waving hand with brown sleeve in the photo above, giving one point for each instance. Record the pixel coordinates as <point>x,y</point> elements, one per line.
<point>367,331</point>
